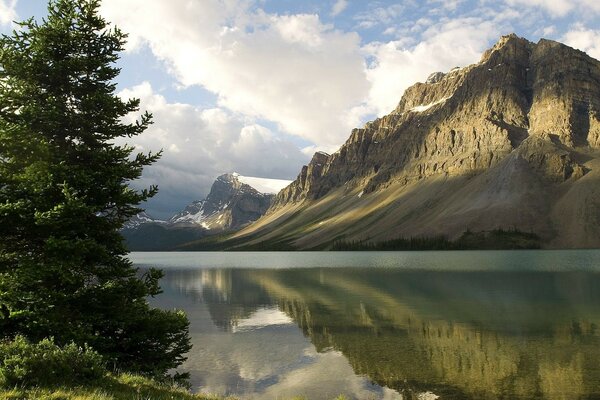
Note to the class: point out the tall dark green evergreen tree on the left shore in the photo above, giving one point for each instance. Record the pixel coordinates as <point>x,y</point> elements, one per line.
<point>64,195</point>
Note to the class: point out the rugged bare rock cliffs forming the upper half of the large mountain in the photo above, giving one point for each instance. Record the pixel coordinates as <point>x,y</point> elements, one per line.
<point>469,119</point>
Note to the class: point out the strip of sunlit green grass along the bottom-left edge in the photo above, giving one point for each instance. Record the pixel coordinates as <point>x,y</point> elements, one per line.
<point>125,386</point>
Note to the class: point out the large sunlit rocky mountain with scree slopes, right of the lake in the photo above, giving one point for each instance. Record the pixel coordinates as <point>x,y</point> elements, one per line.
<point>511,143</point>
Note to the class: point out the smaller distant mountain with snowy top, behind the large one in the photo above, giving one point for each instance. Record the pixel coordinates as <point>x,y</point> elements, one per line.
<point>230,205</point>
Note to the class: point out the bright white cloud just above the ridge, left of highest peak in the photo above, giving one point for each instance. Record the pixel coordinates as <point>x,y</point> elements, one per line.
<point>394,68</point>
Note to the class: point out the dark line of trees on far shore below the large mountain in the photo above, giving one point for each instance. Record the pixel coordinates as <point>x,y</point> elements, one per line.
<point>497,239</point>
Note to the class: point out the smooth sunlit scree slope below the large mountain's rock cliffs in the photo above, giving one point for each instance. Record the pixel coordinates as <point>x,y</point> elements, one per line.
<point>509,195</point>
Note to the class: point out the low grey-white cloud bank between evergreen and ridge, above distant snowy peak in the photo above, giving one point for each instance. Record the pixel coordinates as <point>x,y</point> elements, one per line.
<point>200,144</point>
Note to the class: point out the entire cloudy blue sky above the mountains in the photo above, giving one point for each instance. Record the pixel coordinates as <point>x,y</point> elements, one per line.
<point>257,86</point>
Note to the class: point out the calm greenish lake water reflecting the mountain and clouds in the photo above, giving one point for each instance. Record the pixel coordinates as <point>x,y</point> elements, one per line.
<point>389,325</point>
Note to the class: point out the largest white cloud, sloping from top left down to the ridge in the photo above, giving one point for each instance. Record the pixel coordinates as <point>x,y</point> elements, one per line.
<point>291,69</point>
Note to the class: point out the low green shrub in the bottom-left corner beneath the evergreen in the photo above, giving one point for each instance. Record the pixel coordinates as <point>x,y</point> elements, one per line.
<point>24,364</point>
